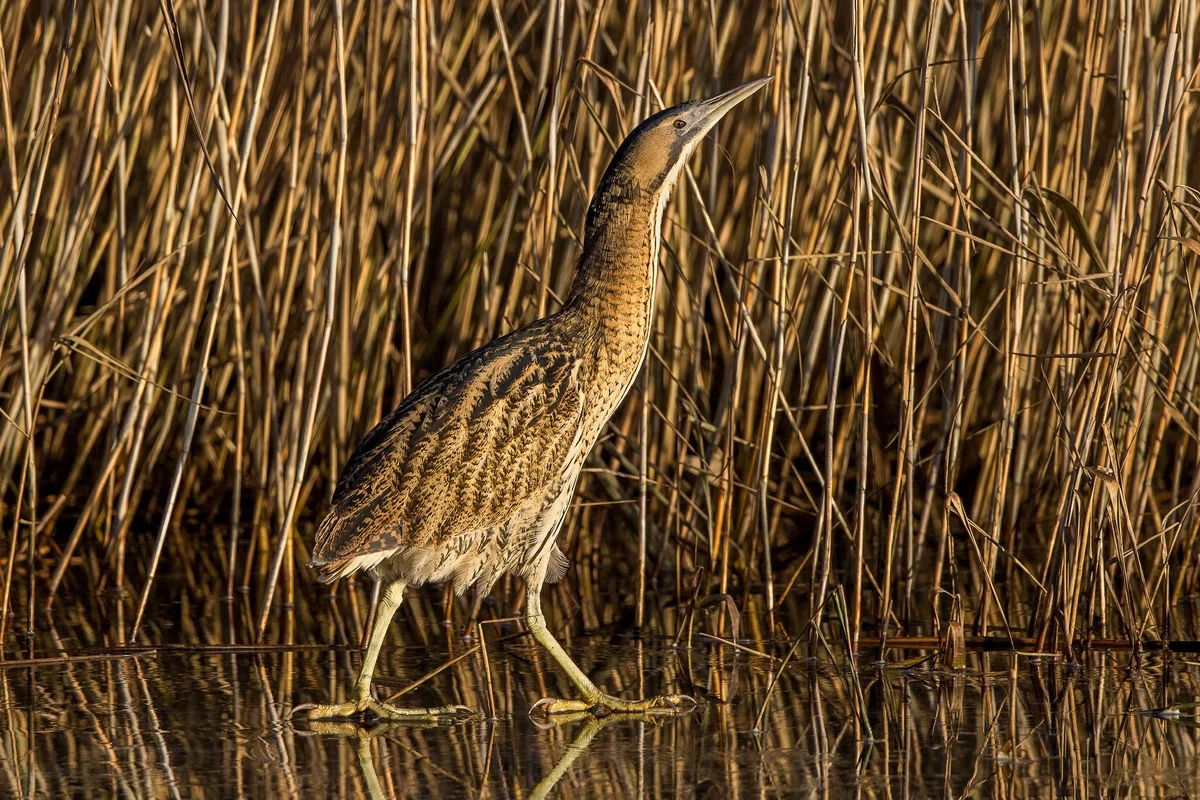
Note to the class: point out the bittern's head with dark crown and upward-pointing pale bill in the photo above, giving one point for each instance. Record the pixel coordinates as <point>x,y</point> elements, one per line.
<point>650,160</point>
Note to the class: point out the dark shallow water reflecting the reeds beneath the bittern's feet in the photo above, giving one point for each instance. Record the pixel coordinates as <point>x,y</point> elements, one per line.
<point>199,724</point>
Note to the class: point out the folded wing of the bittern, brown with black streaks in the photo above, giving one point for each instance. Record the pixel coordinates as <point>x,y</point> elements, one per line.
<point>460,454</point>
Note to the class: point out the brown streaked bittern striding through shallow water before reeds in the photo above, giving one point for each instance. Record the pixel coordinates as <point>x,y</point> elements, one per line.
<point>472,476</point>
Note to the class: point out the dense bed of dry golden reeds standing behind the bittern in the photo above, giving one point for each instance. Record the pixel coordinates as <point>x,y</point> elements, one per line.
<point>927,328</point>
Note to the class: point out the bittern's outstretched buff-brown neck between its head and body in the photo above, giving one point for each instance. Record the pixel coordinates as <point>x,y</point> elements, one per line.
<point>616,278</point>
